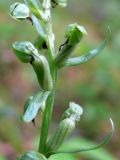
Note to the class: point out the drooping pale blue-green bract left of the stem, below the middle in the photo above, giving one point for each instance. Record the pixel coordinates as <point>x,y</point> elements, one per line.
<point>33,105</point>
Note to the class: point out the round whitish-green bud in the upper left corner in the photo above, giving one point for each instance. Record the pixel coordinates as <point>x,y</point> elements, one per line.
<point>19,11</point>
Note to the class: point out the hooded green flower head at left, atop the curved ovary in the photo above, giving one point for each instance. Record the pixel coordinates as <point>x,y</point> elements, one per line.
<point>24,51</point>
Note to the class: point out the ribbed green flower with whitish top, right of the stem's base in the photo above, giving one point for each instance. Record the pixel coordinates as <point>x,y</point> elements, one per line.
<point>66,126</point>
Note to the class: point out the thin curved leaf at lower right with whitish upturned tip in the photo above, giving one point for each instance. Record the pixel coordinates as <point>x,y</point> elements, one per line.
<point>104,142</point>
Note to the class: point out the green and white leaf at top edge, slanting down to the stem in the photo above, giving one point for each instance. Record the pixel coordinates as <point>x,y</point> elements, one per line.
<point>36,8</point>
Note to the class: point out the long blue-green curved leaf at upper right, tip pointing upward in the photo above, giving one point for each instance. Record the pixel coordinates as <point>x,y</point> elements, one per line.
<point>84,58</point>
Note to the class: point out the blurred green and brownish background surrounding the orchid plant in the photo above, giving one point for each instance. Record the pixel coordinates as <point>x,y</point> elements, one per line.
<point>95,85</point>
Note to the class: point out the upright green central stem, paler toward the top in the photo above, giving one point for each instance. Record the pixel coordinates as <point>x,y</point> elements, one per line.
<point>50,101</point>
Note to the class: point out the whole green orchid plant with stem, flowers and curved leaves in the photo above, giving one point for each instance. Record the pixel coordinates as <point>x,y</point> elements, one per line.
<point>46,64</point>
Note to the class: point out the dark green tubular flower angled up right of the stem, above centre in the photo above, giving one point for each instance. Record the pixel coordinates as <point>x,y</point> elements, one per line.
<point>74,34</point>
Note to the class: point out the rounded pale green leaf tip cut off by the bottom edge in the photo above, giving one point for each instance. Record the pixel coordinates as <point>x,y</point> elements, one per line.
<point>32,155</point>
